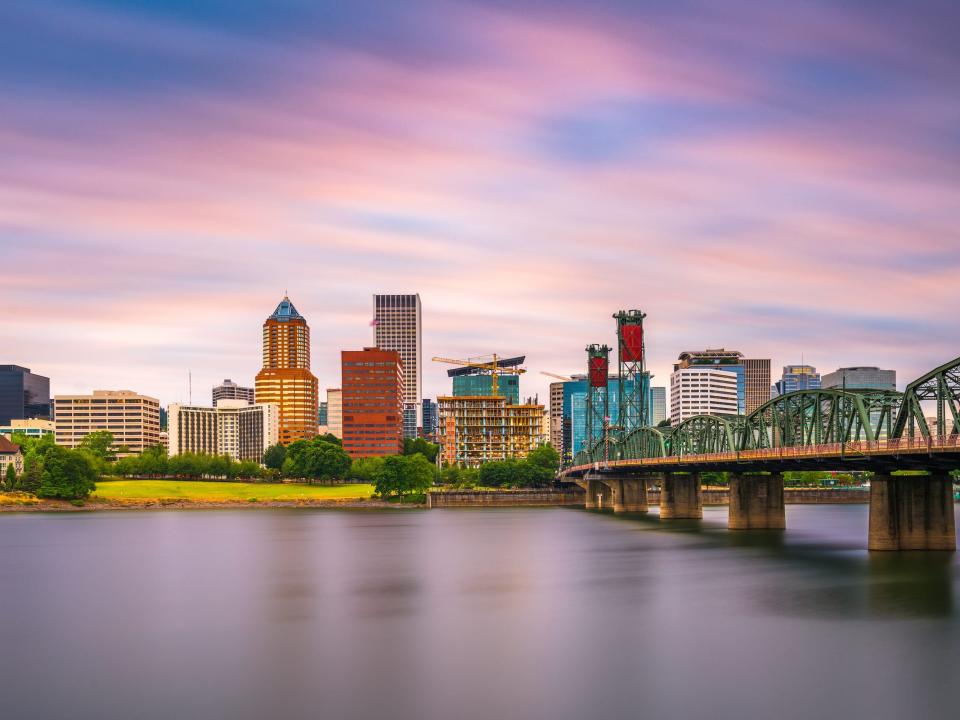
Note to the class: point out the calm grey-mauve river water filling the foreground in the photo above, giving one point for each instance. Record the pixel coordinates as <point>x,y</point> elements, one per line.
<point>469,614</point>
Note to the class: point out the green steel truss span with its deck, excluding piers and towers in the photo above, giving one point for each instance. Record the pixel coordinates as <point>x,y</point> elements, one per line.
<point>803,430</point>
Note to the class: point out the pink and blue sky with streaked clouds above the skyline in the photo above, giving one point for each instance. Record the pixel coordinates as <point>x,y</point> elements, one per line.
<point>776,178</point>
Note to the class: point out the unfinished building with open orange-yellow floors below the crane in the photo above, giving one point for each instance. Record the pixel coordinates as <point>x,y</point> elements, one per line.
<point>475,430</point>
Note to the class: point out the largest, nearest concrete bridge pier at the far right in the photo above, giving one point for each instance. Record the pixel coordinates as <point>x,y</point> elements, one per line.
<point>912,512</point>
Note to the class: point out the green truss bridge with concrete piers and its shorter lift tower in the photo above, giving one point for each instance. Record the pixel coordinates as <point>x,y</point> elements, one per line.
<point>882,432</point>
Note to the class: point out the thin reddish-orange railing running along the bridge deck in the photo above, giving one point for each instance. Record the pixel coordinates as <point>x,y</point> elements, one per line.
<point>852,449</point>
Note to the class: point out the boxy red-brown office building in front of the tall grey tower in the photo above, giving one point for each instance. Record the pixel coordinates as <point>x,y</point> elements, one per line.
<point>373,400</point>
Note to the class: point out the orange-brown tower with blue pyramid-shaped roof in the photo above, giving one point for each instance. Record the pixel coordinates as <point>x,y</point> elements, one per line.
<point>285,379</point>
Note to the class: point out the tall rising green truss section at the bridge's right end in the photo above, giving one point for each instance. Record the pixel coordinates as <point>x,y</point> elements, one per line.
<point>942,387</point>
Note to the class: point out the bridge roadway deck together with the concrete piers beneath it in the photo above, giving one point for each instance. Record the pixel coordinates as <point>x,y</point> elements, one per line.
<point>907,512</point>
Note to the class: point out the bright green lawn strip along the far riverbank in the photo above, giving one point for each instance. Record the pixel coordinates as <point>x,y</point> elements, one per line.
<point>198,491</point>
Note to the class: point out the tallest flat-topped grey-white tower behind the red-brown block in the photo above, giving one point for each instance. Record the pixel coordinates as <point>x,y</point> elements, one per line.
<point>397,326</point>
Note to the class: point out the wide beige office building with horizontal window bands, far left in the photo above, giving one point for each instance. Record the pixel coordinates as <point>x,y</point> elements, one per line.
<point>133,419</point>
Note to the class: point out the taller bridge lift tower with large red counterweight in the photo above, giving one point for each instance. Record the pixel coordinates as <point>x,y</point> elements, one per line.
<point>632,411</point>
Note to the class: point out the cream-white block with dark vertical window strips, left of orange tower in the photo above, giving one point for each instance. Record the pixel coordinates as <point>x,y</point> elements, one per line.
<point>234,428</point>
